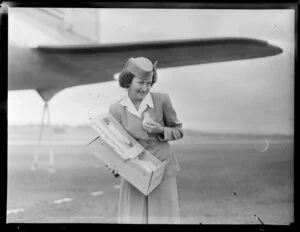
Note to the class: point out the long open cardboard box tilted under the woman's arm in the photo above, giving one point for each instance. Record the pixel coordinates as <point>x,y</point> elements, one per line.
<point>116,148</point>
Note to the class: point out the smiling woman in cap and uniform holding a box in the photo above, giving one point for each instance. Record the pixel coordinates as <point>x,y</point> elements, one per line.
<point>151,119</point>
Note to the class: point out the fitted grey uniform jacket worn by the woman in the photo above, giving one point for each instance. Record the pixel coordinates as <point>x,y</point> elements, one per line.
<point>161,111</point>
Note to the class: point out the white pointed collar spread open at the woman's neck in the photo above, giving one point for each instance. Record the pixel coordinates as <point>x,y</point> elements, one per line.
<point>146,102</point>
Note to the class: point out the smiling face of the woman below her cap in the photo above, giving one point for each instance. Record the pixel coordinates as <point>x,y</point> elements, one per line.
<point>139,88</point>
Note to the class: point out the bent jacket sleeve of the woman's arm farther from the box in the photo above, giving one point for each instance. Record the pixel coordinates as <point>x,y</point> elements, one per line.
<point>173,127</point>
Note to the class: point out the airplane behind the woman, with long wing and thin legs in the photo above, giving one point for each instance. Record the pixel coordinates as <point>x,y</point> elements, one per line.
<point>69,59</point>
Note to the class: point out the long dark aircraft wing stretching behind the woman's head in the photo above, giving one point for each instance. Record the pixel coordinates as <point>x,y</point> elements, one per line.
<point>49,69</point>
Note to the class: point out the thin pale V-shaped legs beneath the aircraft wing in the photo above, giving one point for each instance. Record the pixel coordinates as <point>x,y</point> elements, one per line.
<point>37,152</point>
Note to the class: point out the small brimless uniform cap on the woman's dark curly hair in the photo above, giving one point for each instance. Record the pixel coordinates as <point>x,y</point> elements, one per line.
<point>140,67</point>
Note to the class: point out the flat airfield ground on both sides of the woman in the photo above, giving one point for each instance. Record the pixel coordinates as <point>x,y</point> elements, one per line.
<point>211,171</point>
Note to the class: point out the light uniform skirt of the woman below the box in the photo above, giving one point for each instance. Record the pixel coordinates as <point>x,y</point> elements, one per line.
<point>161,206</point>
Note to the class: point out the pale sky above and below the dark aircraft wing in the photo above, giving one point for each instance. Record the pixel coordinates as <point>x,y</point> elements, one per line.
<point>247,96</point>
